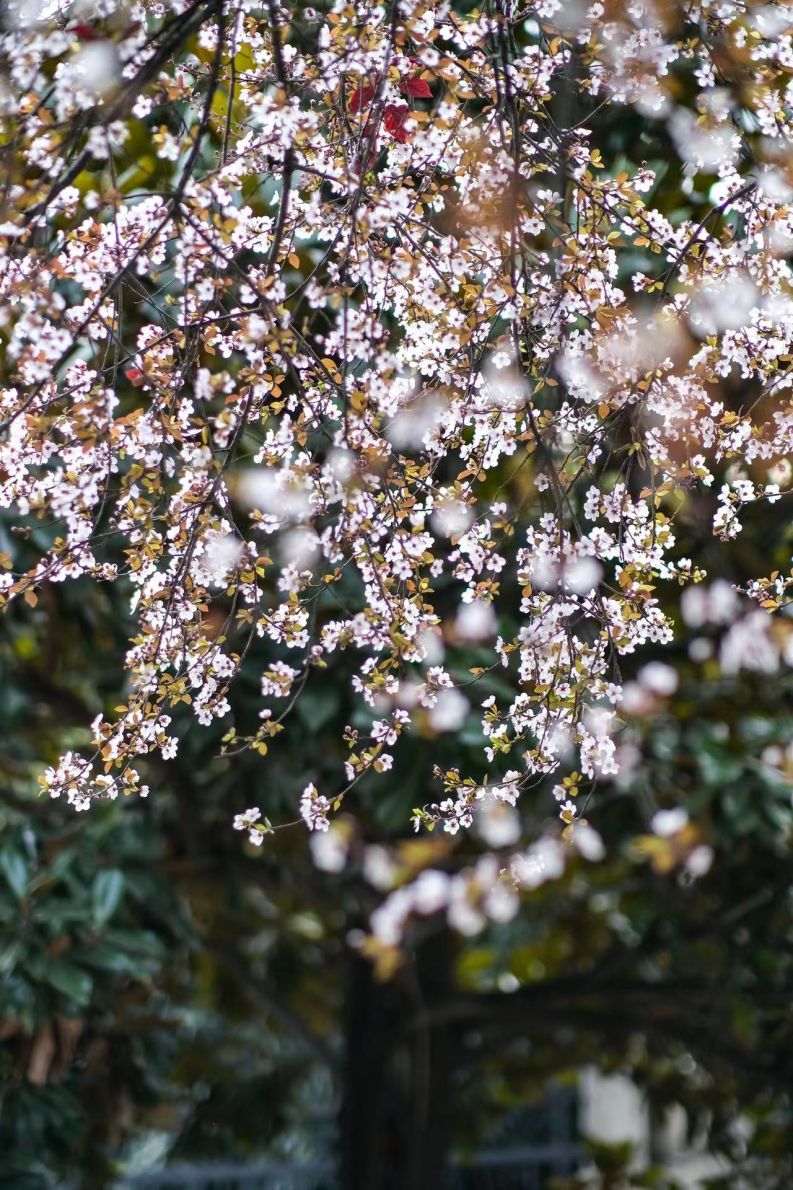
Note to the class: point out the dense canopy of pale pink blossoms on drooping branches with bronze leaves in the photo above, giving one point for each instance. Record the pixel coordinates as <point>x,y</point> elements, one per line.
<point>341,331</point>
